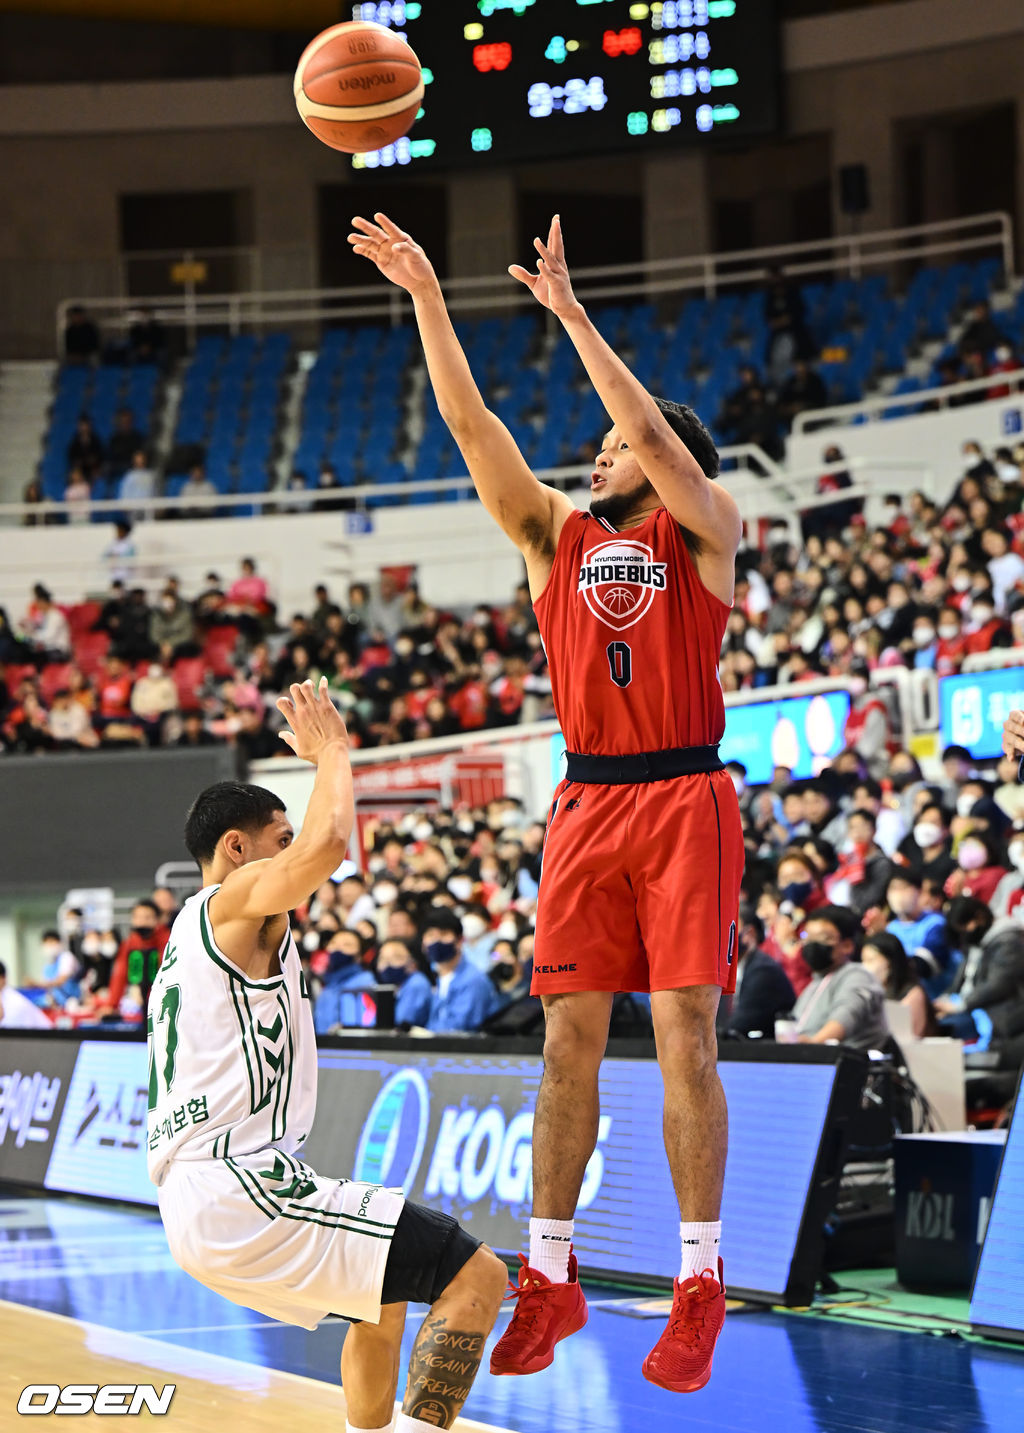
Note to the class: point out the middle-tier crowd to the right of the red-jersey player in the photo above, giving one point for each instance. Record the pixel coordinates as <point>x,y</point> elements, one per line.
<point>929,585</point>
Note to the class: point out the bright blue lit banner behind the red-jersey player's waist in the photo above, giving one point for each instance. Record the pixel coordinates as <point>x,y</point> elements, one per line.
<point>801,733</point>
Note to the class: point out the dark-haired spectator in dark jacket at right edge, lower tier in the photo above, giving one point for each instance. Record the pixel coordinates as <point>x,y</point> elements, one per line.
<point>986,1004</point>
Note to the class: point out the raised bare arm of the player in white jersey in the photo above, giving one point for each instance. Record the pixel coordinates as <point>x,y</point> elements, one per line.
<point>270,888</point>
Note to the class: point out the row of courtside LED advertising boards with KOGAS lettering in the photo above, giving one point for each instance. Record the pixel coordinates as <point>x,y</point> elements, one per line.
<point>455,1133</point>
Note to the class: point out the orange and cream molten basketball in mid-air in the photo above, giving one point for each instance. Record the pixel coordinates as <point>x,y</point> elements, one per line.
<point>359,87</point>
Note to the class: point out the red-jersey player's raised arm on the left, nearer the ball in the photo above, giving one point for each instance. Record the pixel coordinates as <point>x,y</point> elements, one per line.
<point>526,509</point>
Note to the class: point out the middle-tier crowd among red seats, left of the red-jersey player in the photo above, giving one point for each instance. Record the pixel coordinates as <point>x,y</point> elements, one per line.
<point>208,668</point>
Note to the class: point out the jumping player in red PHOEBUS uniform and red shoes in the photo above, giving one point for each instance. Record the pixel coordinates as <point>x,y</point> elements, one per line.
<point>644,853</point>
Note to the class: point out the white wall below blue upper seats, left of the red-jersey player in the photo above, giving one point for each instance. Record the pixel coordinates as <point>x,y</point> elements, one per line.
<point>460,554</point>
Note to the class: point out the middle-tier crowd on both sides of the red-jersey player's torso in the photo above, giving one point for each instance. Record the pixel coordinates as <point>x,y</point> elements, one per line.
<point>927,587</point>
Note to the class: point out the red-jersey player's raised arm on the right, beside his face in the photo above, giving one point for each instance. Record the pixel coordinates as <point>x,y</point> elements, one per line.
<point>692,499</point>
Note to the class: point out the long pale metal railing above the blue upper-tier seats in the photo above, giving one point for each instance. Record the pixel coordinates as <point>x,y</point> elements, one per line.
<point>704,274</point>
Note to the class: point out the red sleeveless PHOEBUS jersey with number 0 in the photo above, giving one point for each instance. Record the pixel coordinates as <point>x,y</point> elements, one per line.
<point>632,638</point>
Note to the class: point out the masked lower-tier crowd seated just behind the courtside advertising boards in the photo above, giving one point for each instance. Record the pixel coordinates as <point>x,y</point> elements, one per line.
<point>857,892</point>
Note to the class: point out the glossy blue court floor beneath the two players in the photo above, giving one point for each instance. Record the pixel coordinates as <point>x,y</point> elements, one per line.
<point>774,1372</point>
